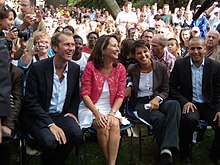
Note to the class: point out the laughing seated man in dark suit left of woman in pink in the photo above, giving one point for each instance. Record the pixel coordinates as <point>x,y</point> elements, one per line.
<point>51,101</point>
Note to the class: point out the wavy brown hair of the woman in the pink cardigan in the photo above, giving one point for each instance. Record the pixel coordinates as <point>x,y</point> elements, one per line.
<point>97,52</point>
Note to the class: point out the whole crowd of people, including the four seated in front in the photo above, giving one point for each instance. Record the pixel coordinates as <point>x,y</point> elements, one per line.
<point>70,68</point>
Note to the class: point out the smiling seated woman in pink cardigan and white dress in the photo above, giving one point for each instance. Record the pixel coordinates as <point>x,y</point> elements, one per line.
<point>103,91</point>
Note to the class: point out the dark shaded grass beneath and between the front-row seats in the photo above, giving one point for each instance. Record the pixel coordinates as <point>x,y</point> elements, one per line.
<point>149,153</point>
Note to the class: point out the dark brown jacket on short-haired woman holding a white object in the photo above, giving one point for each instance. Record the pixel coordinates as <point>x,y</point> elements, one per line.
<point>160,81</point>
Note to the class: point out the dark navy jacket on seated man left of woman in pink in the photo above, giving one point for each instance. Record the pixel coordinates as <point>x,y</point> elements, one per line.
<point>39,92</point>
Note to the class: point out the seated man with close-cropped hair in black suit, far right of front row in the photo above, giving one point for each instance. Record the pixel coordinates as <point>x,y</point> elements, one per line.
<point>195,83</point>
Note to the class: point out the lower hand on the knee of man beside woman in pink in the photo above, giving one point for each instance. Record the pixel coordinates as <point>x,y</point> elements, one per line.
<point>58,133</point>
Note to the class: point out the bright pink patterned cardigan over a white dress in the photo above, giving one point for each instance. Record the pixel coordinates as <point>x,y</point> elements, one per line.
<point>93,82</point>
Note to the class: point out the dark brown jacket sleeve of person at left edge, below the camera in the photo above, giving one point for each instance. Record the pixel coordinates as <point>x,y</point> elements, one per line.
<point>17,81</point>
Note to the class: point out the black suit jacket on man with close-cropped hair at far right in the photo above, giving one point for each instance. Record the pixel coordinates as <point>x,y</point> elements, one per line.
<point>181,82</point>
